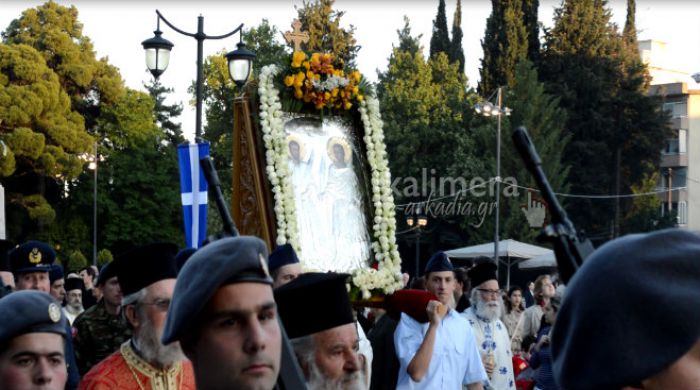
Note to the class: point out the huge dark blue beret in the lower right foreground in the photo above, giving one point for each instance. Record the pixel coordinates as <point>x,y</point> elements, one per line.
<point>629,312</point>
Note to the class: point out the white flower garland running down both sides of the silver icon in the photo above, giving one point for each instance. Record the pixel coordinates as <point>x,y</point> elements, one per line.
<point>388,275</point>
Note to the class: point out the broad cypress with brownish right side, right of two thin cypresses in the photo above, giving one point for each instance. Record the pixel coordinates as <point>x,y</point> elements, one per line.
<point>505,44</point>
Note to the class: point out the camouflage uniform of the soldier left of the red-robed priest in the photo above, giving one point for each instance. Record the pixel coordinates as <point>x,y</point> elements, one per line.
<point>97,335</point>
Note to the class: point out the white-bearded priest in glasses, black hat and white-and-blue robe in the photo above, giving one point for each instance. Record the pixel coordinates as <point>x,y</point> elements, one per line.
<point>491,334</point>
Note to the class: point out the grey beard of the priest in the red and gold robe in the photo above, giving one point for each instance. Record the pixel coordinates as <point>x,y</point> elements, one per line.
<point>150,348</point>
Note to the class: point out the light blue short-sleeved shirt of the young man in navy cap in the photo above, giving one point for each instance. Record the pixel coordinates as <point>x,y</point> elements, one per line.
<point>455,360</point>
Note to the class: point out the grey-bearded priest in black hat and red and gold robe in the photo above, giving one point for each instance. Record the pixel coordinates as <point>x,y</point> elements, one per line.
<point>147,279</point>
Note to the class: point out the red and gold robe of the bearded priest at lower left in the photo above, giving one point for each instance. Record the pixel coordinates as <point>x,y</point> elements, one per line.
<point>125,370</point>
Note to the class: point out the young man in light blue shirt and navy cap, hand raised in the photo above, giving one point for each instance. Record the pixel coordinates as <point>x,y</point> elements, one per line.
<point>441,354</point>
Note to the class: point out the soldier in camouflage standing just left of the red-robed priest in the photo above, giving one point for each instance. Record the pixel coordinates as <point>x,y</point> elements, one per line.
<point>99,330</point>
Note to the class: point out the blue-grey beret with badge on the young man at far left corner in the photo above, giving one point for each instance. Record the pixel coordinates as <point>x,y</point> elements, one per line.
<point>30,311</point>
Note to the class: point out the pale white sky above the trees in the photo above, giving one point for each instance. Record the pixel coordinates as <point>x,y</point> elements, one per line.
<point>117,29</point>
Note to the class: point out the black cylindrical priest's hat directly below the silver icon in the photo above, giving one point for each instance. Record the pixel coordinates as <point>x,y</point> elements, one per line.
<point>298,303</point>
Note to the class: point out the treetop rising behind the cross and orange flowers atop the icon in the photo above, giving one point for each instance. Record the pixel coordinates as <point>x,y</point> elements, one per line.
<point>325,33</point>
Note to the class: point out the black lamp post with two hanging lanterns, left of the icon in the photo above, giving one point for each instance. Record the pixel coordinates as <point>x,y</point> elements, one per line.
<point>240,61</point>
